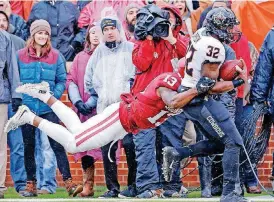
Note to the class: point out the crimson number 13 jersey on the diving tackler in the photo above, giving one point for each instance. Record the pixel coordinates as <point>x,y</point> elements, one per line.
<point>147,110</point>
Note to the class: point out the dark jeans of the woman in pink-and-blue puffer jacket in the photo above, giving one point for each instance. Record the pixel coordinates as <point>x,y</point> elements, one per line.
<point>28,132</point>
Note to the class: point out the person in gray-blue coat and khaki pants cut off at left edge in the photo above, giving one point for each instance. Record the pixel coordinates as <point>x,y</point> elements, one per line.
<point>9,81</point>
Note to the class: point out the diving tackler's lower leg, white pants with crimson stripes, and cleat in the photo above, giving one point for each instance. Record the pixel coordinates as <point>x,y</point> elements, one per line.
<point>94,133</point>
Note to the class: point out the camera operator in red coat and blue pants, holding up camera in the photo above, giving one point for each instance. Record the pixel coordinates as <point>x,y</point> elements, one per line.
<point>152,58</point>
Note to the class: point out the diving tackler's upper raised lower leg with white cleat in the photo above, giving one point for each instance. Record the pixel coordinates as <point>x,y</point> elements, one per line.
<point>64,113</point>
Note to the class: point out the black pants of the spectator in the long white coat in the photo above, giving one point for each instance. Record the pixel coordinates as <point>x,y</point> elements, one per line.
<point>111,167</point>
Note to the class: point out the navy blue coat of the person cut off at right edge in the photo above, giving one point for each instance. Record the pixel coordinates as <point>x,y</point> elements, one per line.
<point>263,80</point>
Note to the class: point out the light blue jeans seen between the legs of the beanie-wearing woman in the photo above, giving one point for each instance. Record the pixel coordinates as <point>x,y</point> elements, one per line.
<point>46,163</point>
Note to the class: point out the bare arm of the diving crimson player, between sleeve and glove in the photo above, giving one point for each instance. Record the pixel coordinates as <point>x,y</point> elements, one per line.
<point>176,100</point>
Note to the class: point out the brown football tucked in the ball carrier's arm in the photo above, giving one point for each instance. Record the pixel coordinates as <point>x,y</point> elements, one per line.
<point>228,71</point>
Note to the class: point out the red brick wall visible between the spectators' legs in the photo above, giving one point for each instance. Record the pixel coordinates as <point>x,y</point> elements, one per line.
<point>191,180</point>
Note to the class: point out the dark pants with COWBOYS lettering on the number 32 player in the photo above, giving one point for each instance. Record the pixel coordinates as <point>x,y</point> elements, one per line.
<point>214,120</point>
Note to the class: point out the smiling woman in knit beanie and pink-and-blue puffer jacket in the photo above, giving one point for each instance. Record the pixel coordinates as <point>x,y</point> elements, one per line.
<point>40,62</point>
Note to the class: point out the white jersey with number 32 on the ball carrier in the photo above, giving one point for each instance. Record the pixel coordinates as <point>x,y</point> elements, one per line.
<point>202,48</point>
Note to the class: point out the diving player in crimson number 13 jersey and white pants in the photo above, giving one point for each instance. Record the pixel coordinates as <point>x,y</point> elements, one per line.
<point>146,110</point>
